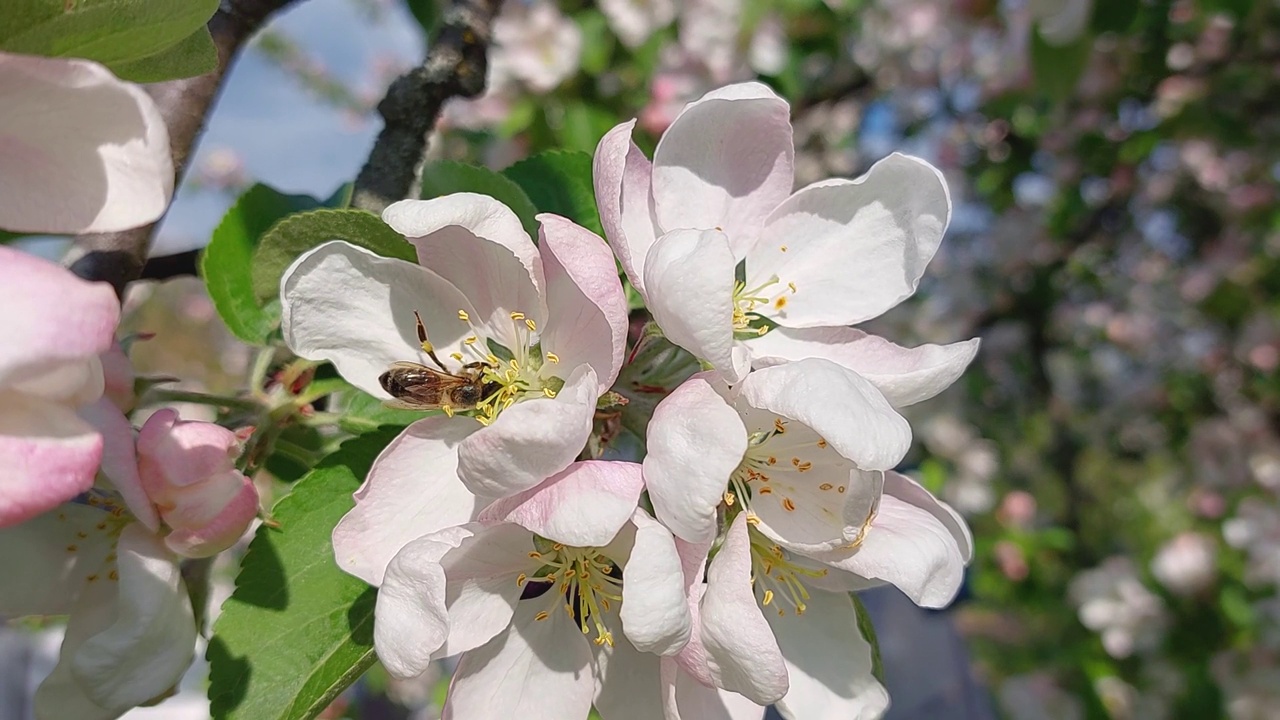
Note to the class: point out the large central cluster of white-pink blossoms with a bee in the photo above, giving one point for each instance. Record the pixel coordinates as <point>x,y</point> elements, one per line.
<point>711,577</point>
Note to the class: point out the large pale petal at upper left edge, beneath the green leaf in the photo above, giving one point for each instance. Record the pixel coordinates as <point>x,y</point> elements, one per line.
<point>88,153</point>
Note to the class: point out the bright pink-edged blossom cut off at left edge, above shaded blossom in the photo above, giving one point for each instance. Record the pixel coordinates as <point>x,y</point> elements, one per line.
<point>54,329</point>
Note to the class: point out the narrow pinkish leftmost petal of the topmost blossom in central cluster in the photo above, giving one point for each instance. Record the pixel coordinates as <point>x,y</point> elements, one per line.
<point>623,176</point>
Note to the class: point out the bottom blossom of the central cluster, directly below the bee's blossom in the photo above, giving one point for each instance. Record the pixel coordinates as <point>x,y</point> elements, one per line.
<point>557,599</point>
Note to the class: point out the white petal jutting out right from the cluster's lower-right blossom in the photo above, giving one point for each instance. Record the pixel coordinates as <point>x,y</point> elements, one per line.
<point>916,549</point>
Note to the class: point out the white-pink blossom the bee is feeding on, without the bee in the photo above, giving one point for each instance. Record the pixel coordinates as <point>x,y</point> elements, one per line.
<point>547,323</point>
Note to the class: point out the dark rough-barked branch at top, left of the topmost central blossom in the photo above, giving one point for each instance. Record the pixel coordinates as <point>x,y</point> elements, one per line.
<point>455,67</point>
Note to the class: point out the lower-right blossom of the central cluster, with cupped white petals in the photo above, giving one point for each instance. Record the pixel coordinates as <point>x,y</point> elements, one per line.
<point>815,516</point>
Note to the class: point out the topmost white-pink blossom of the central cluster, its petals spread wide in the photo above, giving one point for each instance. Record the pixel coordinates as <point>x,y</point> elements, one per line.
<point>836,253</point>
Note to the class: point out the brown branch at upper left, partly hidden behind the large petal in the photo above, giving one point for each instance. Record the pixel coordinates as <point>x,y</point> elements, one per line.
<point>185,104</point>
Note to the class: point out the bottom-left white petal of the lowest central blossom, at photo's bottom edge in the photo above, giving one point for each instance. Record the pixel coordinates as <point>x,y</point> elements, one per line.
<point>536,671</point>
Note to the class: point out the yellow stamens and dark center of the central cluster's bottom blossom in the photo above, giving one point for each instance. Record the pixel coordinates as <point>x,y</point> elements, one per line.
<point>588,580</point>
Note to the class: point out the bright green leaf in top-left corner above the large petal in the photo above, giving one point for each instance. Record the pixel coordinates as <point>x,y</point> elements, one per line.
<point>113,33</point>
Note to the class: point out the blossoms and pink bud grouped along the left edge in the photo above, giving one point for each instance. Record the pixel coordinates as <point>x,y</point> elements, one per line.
<point>95,517</point>
